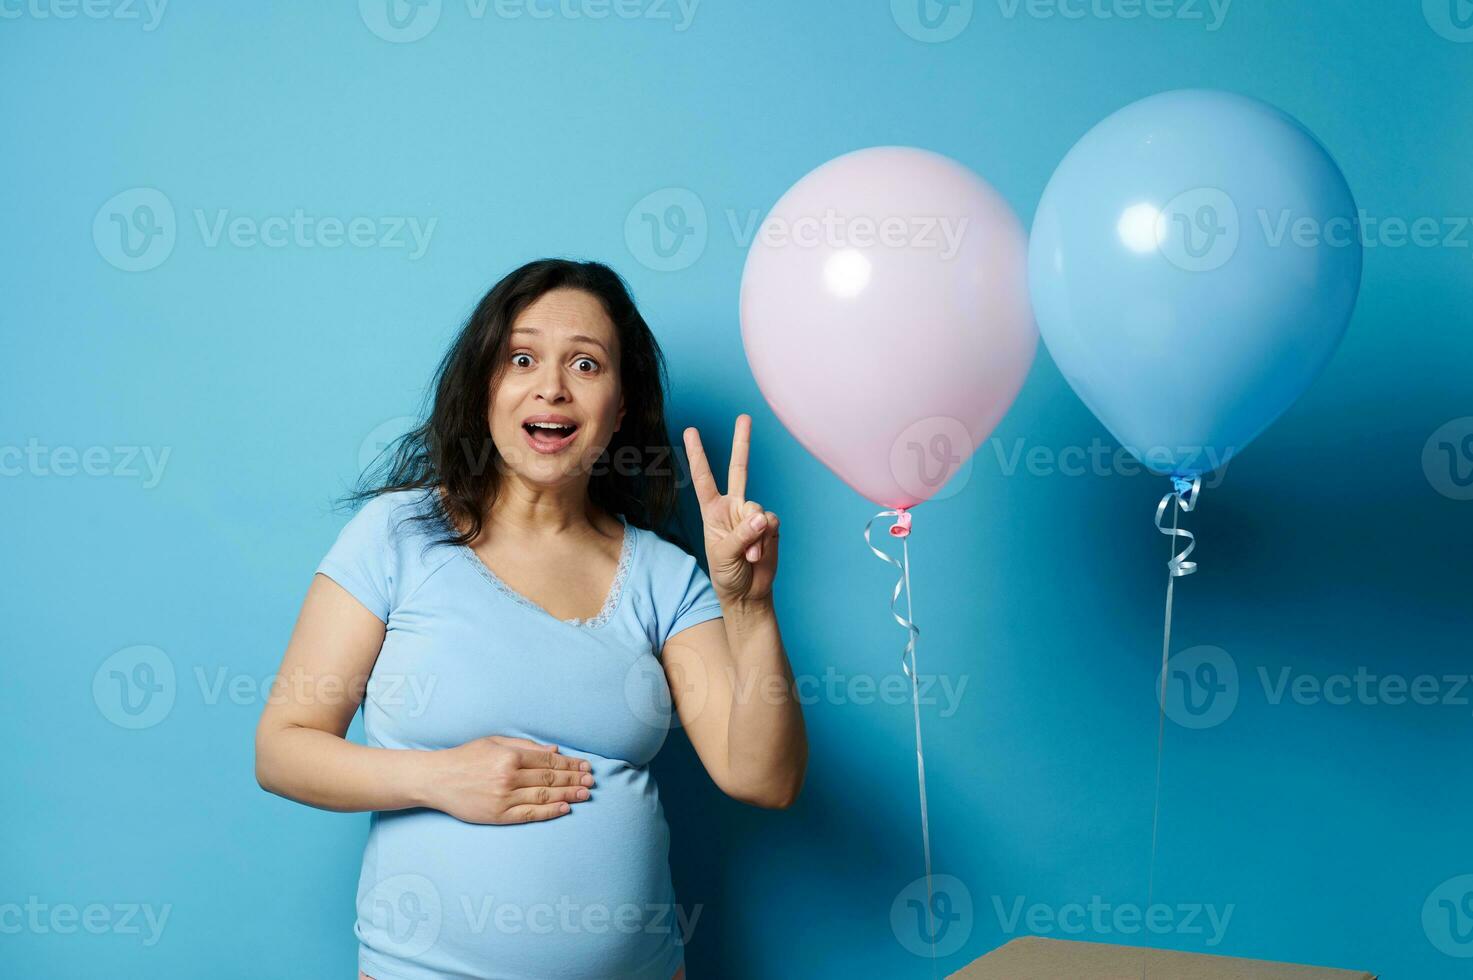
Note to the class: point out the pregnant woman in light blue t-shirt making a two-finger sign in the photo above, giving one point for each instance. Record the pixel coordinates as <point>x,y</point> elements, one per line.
<point>516,633</point>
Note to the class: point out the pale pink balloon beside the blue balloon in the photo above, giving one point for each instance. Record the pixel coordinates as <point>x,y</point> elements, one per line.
<point>885,312</point>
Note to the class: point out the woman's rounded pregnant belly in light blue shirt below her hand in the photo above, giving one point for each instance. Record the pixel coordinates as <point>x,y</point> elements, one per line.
<point>583,895</point>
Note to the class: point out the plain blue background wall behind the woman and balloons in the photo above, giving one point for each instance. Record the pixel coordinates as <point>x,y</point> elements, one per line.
<point>263,374</point>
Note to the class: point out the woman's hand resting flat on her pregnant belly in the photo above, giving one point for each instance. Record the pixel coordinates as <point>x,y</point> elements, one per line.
<point>505,780</point>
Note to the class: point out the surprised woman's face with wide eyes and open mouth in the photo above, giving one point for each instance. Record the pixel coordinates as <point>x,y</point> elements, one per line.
<point>559,402</point>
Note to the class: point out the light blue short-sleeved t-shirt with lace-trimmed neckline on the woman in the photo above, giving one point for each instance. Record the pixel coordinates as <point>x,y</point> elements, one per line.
<point>586,895</point>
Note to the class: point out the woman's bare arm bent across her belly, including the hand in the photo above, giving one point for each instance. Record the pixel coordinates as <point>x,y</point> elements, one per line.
<point>303,752</point>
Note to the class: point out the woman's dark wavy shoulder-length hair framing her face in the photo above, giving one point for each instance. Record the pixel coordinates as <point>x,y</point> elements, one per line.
<point>634,477</point>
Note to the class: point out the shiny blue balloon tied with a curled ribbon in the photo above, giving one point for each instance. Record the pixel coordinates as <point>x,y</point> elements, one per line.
<point>1194,265</point>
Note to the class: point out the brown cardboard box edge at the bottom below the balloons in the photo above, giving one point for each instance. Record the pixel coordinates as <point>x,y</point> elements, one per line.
<point>1039,959</point>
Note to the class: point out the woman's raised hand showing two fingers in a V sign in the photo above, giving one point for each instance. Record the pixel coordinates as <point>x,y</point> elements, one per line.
<point>742,539</point>
